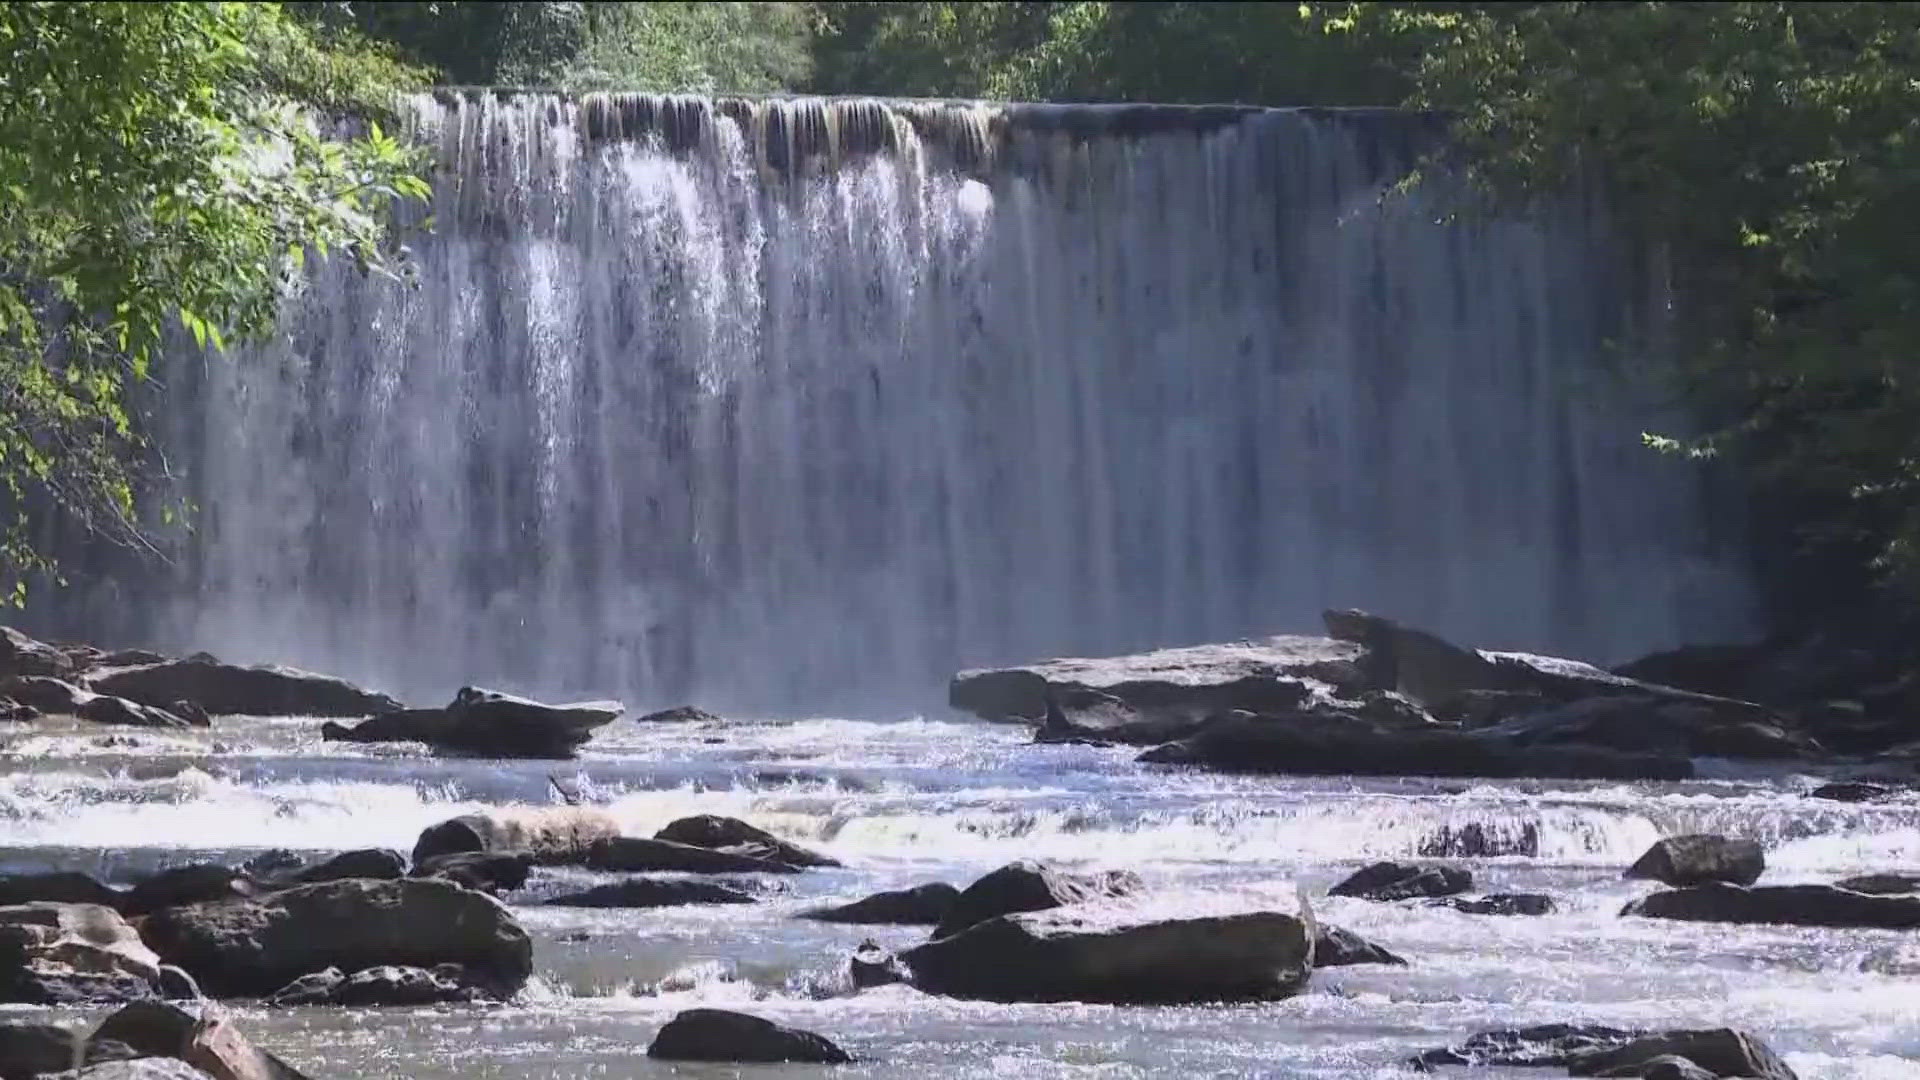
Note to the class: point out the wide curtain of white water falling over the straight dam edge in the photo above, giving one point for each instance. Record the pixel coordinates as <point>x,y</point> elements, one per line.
<point>804,405</point>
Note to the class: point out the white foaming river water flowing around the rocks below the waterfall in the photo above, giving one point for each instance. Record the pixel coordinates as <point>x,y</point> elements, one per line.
<point>948,800</point>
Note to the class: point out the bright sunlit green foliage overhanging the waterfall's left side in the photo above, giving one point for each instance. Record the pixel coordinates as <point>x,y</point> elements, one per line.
<point>155,176</point>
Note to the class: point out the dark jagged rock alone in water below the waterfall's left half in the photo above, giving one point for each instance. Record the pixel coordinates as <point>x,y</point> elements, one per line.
<point>491,725</point>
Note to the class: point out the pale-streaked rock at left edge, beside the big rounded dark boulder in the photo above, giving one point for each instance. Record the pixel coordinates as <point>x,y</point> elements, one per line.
<point>60,954</point>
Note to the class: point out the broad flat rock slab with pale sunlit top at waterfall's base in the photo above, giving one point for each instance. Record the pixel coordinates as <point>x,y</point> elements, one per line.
<point>1172,687</point>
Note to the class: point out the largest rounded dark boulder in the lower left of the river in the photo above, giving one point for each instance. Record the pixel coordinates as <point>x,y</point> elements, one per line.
<point>254,948</point>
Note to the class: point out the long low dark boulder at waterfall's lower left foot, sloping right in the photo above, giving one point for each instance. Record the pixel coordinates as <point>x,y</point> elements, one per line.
<point>266,691</point>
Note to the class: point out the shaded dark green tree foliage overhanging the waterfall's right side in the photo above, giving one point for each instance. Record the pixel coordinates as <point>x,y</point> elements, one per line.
<point>1775,153</point>
